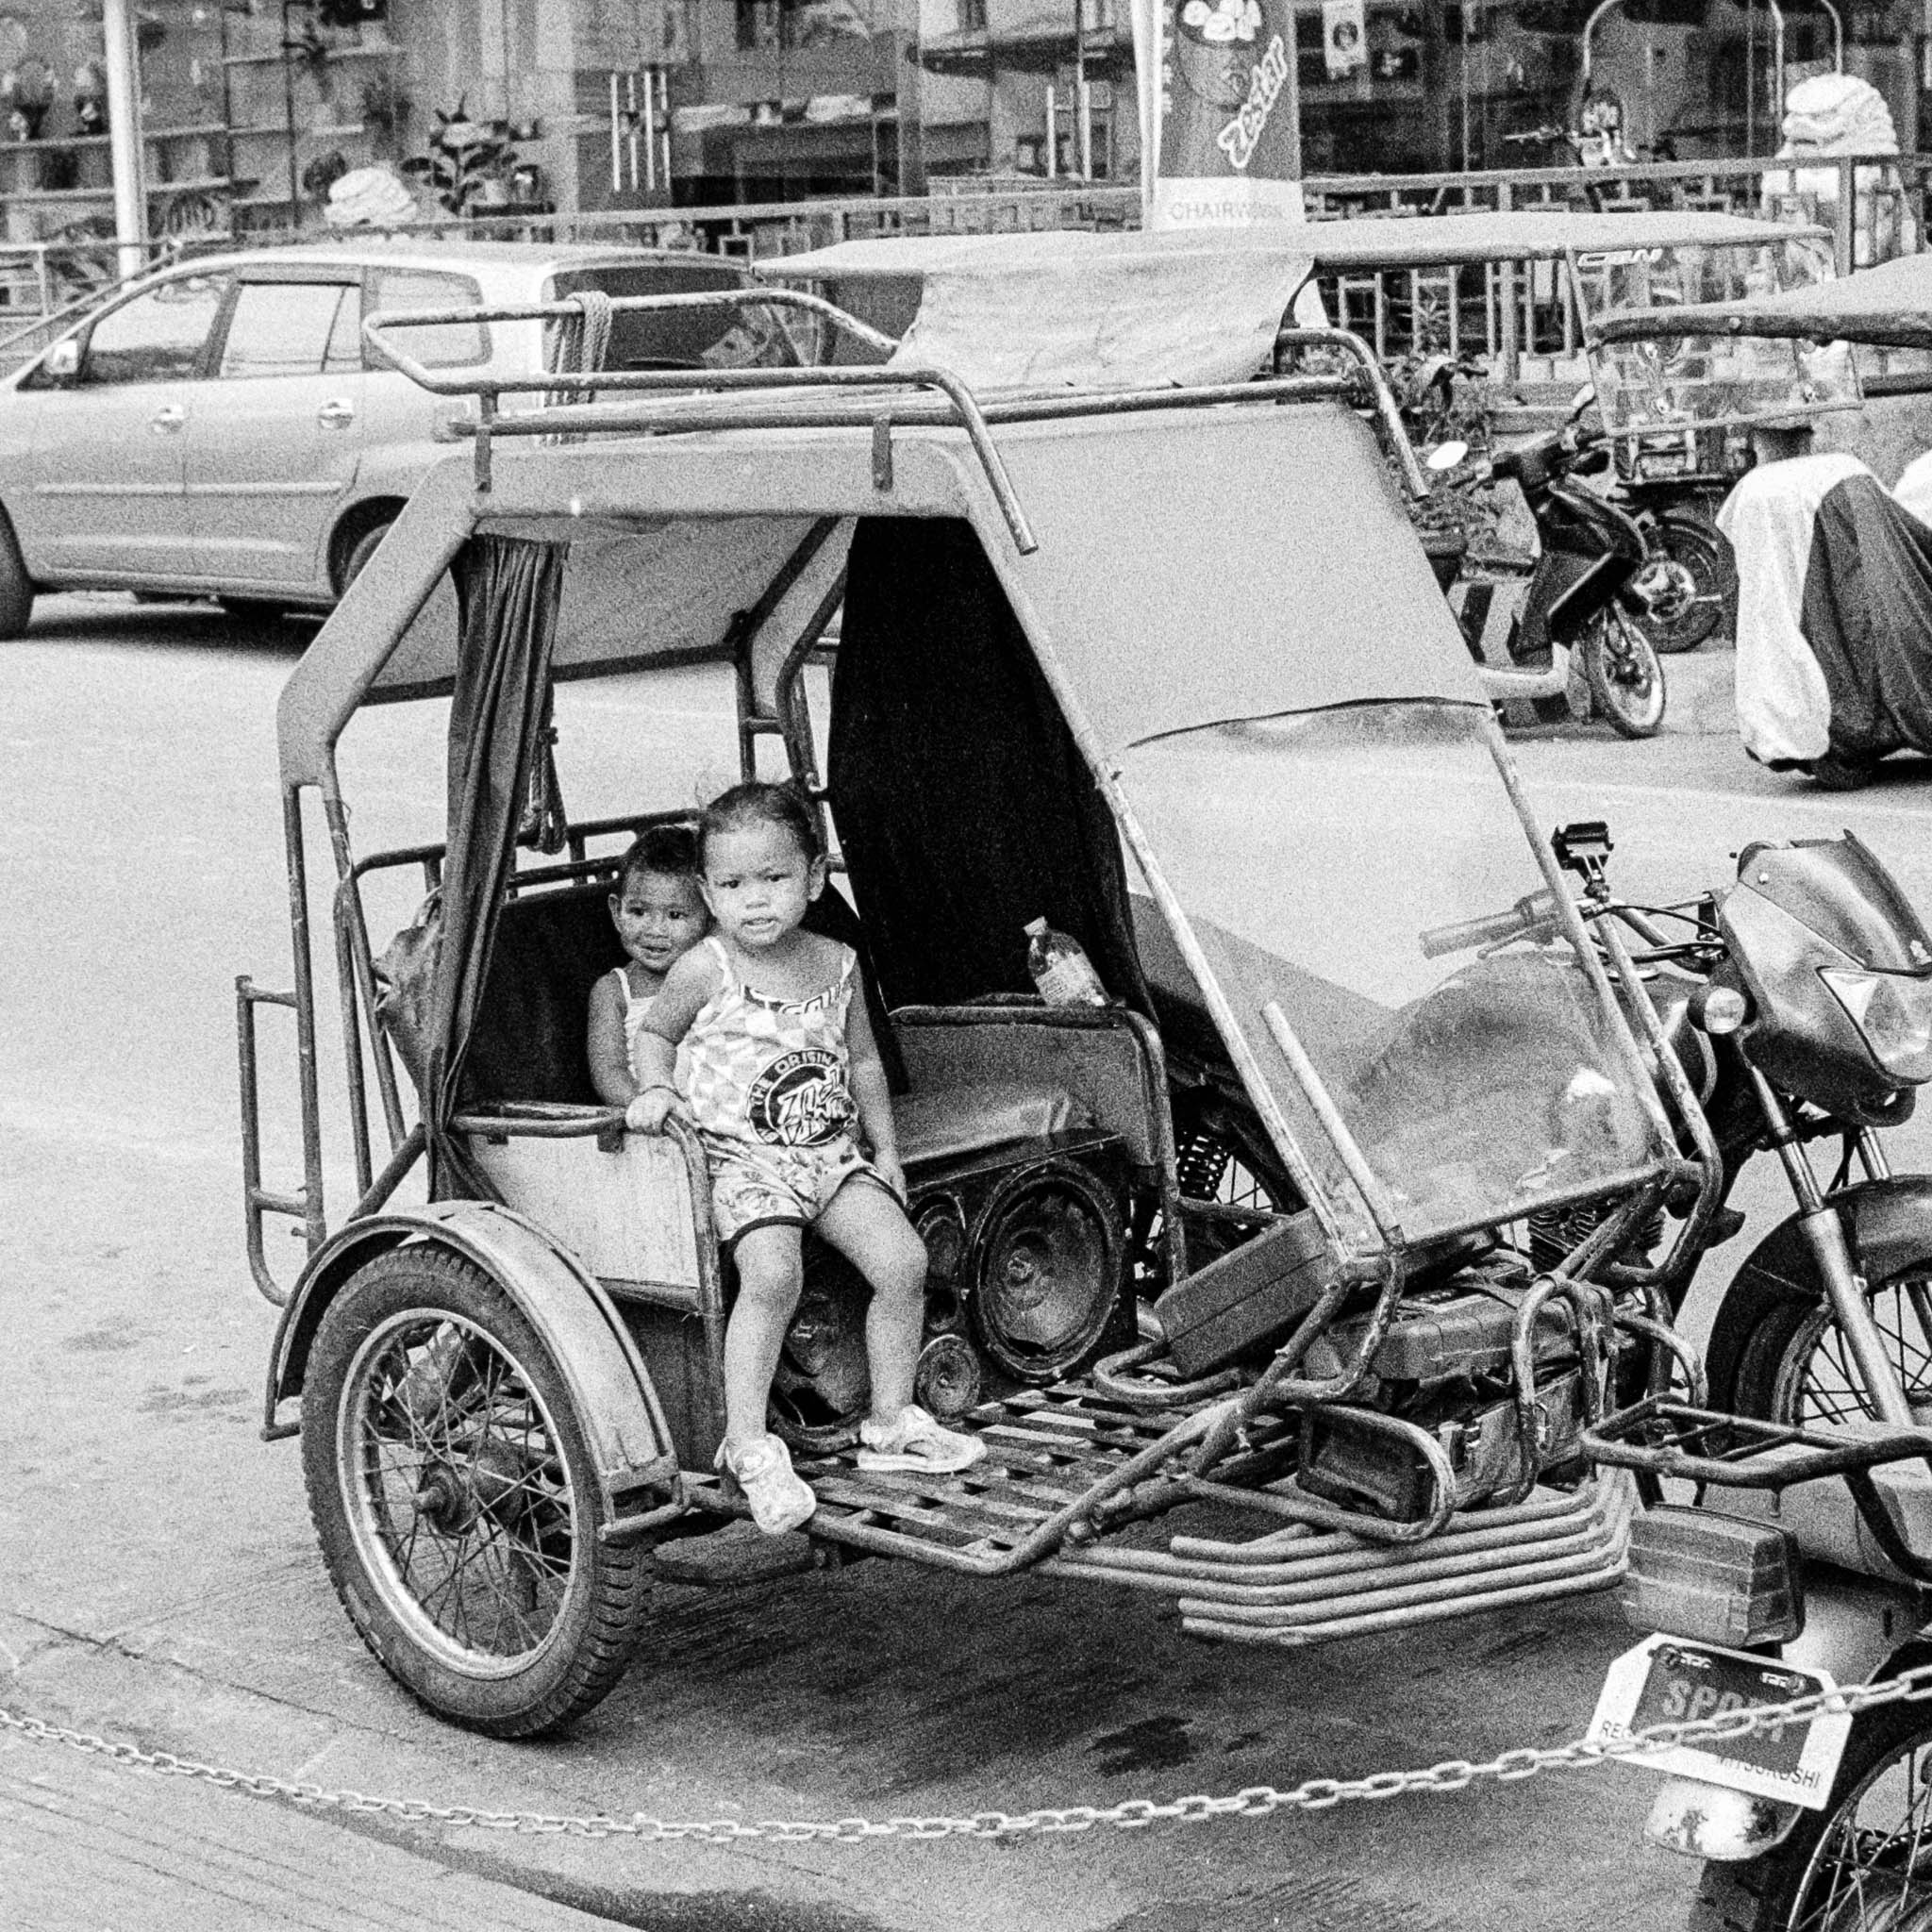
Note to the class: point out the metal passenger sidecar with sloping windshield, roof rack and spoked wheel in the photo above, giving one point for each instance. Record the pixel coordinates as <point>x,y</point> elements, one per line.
<point>1282,1286</point>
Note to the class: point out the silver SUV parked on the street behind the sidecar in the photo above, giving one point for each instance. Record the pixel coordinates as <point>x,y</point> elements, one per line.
<point>219,432</point>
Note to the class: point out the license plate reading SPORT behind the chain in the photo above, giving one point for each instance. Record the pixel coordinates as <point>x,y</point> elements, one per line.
<point>1668,1680</point>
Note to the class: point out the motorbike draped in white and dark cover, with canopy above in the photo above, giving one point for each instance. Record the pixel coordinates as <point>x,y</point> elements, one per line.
<point>1834,640</point>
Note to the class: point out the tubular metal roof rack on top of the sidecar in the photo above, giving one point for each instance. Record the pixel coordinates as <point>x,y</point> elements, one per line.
<point>834,397</point>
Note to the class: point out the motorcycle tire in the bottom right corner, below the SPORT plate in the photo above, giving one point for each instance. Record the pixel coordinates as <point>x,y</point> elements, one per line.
<point>1848,1848</point>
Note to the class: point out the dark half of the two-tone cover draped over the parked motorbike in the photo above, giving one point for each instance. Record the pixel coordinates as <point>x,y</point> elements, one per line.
<point>1869,619</point>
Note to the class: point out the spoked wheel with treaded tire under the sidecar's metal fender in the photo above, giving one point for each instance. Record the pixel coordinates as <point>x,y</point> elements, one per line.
<point>457,1500</point>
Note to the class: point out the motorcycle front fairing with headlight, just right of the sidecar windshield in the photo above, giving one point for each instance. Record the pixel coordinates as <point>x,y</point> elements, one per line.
<point>1840,975</point>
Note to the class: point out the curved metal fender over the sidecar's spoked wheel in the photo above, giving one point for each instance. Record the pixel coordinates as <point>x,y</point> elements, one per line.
<point>581,1326</point>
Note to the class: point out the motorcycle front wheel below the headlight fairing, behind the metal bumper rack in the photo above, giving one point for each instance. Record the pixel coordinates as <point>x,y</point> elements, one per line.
<point>1784,1357</point>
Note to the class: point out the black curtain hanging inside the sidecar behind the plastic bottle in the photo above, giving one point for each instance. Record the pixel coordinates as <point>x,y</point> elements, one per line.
<point>965,809</point>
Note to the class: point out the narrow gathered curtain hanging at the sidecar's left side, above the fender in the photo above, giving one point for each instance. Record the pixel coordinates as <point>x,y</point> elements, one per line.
<point>507,596</point>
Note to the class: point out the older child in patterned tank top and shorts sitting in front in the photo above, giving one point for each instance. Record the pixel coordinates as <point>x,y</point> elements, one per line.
<point>783,1079</point>
